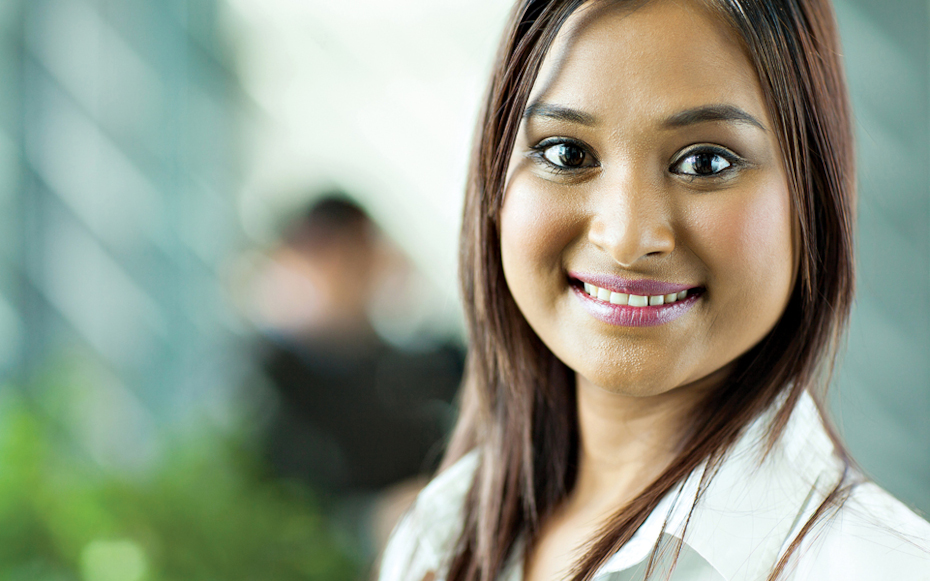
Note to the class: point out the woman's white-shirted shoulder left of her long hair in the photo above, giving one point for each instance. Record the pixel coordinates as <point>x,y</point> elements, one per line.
<point>427,534</point>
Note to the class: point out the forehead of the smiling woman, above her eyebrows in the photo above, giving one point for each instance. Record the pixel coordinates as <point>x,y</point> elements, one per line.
<point>653,58</point>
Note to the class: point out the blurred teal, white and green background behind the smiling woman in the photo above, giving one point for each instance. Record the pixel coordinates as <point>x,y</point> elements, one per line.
<point>160,298</point>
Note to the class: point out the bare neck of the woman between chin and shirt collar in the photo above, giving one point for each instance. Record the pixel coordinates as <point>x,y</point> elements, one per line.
<point>626,442</point>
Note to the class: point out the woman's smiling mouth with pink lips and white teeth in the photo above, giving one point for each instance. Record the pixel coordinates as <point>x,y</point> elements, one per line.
<point>629,303</point>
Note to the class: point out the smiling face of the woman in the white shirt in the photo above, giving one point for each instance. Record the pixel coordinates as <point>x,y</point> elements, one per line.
<point>647,172</point>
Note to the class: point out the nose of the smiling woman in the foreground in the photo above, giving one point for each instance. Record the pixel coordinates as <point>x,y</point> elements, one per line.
<point>631,222</point>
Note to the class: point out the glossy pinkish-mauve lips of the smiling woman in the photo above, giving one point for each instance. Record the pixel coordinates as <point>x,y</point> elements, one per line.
<point>625,315</point>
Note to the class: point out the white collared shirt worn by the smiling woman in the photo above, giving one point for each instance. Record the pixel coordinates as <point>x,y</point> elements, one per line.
<point>743,522</point>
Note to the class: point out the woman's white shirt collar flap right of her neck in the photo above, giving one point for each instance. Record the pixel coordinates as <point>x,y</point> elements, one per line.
<point>750,509</point>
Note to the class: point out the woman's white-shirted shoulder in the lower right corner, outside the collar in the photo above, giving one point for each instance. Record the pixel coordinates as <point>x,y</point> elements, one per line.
<point>870,536</point>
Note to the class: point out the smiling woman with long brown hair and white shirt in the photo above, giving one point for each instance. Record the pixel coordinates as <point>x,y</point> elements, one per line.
<point>657,266</point>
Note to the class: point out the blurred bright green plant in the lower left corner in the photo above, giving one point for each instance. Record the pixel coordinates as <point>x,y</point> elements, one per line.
<point>205,510</point>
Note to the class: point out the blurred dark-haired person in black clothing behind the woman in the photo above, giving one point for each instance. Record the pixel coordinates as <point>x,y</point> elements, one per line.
<point>356,417</point>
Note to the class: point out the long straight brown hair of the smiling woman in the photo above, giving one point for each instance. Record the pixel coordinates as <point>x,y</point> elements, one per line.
<point>515,385</point>
